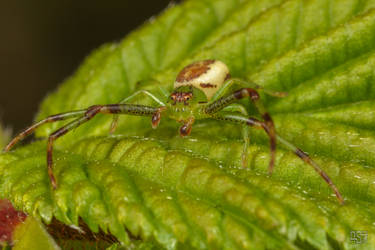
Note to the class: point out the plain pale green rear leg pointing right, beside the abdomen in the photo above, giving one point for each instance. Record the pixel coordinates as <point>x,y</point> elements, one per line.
<point>241,84</point>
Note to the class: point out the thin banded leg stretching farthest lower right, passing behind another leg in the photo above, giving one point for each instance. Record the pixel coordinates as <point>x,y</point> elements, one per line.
<point>253,122</point>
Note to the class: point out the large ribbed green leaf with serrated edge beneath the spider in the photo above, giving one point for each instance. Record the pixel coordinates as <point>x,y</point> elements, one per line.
<point>183,193</point>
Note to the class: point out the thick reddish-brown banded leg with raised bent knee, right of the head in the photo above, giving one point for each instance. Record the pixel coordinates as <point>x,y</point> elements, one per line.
<point>254,97</point>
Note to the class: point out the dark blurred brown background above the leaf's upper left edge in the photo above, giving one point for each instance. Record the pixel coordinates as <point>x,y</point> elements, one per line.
<point>43,41</point>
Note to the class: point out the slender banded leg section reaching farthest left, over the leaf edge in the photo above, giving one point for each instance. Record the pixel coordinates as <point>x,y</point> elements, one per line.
<point>49,119</point>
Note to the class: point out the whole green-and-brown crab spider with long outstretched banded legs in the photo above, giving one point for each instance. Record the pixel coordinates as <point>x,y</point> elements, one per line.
<point>202,90</point>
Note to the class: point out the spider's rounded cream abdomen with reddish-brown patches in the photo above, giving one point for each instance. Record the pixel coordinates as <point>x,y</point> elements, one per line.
<point>207,75</point>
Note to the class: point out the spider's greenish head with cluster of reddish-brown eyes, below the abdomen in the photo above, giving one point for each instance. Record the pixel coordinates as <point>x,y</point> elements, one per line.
<point>186,95</point>
